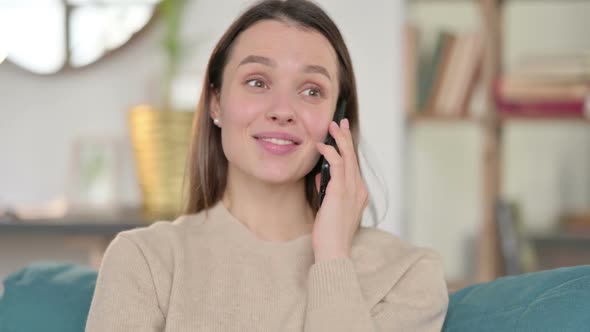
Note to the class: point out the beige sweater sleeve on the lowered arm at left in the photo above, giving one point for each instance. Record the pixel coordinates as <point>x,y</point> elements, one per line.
<point>125,295</point>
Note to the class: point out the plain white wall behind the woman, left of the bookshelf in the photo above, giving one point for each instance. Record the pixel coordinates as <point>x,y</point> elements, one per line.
<point>41,116</point>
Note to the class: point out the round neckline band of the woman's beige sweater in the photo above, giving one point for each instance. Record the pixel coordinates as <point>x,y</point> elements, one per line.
<point>220,212</point>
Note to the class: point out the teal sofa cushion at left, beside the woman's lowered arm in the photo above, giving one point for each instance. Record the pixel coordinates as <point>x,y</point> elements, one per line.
<point>47,297</point>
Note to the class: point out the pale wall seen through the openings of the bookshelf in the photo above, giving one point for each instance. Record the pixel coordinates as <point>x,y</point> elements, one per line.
<point>545,164</point>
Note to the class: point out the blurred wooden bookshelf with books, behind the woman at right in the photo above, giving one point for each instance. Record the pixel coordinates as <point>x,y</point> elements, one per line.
<point>465,71</point>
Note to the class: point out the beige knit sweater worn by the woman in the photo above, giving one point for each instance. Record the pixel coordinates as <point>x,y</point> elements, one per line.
<point>208,272</point>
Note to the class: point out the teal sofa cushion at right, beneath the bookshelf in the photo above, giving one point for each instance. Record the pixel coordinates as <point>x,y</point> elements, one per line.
<point>553,300</point>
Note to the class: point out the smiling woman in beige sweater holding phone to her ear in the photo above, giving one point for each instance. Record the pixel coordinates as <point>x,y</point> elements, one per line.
<point>253,251</point>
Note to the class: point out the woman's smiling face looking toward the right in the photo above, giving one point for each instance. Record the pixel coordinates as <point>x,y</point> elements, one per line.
<point>279,93</point>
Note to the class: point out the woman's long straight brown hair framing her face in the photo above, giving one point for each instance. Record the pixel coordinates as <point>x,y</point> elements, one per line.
<point>207,164</point>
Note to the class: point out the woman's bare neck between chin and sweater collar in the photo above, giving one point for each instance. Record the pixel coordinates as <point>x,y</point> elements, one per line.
<point>273,212</point>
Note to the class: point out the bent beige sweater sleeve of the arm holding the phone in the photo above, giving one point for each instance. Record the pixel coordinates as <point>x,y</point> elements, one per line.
<point>417,301</point>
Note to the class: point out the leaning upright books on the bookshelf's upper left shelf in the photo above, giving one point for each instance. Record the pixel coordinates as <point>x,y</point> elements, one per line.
<point>447,79</point>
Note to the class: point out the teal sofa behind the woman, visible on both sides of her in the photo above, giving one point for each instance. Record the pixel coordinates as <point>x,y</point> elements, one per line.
<point>52,297</point>
